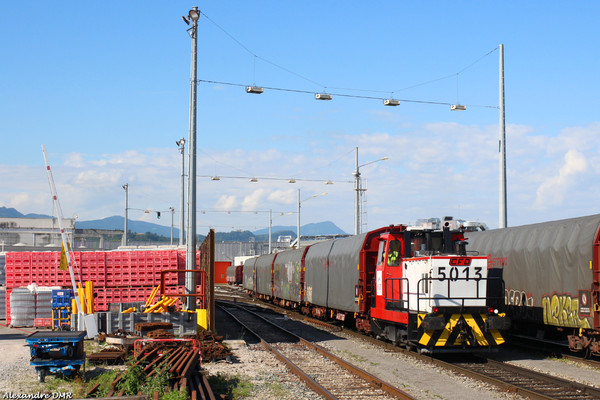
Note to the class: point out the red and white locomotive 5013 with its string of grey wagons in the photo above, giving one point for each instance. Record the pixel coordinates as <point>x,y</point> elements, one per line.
<point>414,287</point>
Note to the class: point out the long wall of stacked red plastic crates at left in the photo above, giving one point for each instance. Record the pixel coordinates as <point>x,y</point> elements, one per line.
<point>118,276</point>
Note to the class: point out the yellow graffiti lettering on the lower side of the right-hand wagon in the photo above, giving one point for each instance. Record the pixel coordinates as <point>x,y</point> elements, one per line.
<point>563,310</point>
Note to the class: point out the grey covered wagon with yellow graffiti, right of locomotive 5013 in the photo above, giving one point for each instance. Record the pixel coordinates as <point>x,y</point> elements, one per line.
<point>552,277</point>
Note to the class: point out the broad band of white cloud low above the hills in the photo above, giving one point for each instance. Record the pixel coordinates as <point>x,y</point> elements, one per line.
<point>433,170</point>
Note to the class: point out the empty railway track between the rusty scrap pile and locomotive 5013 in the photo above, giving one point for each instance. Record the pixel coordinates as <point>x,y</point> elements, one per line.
<point>323,372</point>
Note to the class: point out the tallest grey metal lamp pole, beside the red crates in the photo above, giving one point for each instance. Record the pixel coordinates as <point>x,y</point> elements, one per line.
<point>190,263</point>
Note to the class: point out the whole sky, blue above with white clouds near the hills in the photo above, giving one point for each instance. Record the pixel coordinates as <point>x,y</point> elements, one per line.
<point>105,86</point>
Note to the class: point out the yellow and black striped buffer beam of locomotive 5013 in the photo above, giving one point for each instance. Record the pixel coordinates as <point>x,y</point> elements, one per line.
<point>459,330</point>
